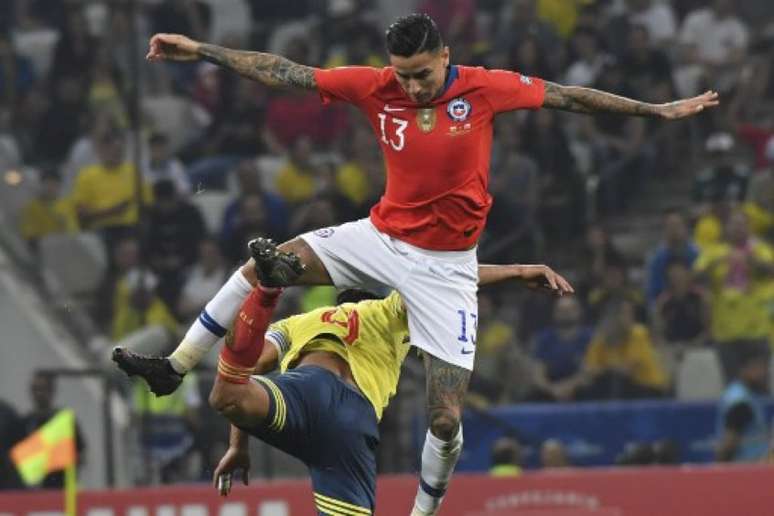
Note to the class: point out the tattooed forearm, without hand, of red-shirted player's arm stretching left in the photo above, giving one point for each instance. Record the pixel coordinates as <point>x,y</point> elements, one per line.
<point>269,69</point>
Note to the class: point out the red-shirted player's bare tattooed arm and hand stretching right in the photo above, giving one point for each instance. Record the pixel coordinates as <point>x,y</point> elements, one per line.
<point>588,100</point>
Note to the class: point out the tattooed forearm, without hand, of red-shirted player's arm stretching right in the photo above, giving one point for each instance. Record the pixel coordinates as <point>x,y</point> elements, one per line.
<point>588,100</point>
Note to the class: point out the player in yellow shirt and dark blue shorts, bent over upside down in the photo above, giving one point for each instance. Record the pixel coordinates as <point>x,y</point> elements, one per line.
<point>338,366</point>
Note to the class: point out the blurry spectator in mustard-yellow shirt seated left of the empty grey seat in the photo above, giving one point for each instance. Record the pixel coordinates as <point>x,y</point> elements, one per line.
<point>621,361</point>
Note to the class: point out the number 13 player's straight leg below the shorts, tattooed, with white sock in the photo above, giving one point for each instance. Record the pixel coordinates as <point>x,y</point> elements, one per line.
<point>447,385</point>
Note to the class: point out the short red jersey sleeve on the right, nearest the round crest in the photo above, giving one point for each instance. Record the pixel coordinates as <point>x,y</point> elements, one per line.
<point>507,91</point>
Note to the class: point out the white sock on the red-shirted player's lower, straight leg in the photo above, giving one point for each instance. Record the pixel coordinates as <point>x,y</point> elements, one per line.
<point>438,460</point>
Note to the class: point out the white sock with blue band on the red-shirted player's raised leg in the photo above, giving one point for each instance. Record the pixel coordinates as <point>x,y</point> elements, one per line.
<point>212,323</point>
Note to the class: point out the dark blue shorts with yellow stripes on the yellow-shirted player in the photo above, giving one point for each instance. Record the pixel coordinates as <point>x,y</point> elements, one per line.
<point>331,427</point>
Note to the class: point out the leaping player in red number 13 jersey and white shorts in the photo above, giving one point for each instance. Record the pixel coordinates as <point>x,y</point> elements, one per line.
<point>434,124</point>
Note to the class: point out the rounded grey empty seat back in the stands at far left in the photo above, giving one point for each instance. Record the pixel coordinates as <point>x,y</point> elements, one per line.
<point>78,262</point>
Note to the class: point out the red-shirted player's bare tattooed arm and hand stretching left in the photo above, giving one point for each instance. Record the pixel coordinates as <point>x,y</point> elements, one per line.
<point>269,69</point>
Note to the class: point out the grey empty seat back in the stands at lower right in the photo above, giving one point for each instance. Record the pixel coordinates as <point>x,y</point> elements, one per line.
<point>699,376</point>
